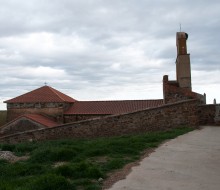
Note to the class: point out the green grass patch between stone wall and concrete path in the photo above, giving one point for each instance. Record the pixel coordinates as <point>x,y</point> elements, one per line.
<point>82,162</point>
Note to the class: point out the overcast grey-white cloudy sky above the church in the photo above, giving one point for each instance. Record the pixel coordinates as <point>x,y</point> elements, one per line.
<point>106,49</point>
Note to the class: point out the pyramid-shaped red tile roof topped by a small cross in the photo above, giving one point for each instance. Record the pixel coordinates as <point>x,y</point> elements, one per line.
<point>42,94</point>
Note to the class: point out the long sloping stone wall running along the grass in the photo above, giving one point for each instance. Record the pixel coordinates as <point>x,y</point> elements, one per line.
<point>160,118</point>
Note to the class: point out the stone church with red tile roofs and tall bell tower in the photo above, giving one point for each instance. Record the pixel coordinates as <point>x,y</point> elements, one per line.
<point>47,107</point>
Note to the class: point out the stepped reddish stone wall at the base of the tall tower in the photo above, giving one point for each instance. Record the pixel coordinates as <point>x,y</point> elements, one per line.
<point>173,93</point>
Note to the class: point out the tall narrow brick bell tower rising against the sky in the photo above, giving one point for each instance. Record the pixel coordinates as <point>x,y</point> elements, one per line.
<point>183,70</point>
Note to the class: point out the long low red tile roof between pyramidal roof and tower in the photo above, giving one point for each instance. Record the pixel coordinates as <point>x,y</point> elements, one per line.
<point>111,107</point>
